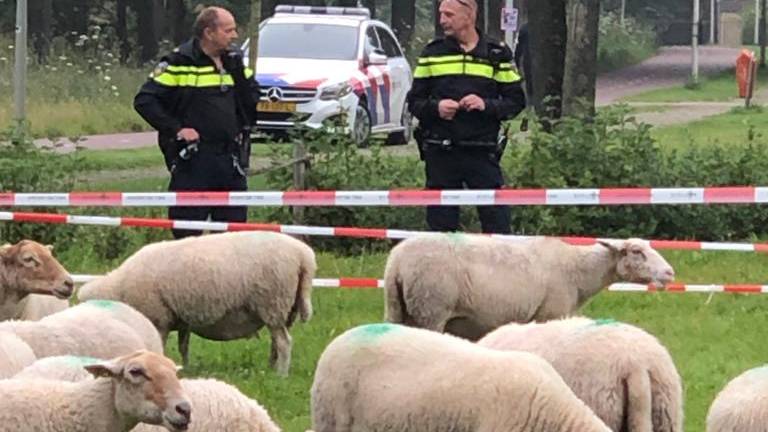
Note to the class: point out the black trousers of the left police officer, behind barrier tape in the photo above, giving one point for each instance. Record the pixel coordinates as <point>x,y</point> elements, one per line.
<point>207,171</point>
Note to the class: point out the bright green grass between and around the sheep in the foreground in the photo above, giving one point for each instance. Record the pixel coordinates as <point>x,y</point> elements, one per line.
<point>710,341</point>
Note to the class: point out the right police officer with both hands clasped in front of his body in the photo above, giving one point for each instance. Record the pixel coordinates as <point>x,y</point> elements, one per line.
<point>464,86</point>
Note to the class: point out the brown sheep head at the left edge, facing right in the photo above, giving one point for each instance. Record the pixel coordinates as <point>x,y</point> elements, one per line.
<point>28,267</point>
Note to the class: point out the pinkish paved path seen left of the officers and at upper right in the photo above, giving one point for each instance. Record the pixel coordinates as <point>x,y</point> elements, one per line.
<point>670,67</point>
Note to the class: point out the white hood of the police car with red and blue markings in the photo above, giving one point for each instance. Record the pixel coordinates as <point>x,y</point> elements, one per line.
<point>303,73</point>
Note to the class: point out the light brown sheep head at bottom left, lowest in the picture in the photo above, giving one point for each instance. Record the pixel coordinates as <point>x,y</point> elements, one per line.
<point>147,389</point>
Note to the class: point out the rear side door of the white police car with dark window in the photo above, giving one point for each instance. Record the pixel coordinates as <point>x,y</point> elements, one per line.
<point>399,76</point>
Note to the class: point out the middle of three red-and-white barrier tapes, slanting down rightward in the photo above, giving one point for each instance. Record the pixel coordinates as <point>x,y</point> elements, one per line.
<point>351,232</point>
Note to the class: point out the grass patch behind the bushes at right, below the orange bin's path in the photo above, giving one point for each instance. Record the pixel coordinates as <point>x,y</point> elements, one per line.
<point>728,129</point>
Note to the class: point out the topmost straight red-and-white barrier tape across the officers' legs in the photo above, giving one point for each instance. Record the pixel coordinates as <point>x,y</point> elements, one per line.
<point>397,198</point>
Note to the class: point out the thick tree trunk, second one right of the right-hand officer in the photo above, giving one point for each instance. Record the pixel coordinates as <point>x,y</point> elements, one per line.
<point>581,58</point>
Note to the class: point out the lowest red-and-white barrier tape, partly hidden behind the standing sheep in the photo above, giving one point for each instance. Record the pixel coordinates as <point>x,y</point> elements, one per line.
<point>364,283</point>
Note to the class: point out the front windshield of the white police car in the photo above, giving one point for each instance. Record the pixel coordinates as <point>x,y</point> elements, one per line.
<point>306,40</point>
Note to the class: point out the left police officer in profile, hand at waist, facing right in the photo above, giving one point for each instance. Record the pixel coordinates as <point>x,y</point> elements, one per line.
<point>202,100</point>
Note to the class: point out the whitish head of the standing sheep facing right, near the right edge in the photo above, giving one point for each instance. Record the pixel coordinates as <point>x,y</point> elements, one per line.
<point>638,262</point>
